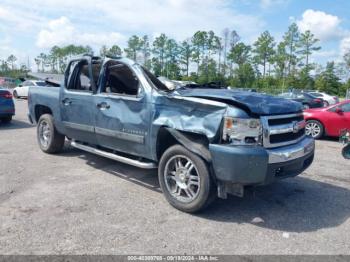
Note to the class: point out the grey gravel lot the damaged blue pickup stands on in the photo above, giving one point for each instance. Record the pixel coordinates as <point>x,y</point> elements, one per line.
<point>78,203</point>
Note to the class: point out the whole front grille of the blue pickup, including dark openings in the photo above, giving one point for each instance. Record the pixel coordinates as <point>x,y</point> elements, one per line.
<point>282,130</point>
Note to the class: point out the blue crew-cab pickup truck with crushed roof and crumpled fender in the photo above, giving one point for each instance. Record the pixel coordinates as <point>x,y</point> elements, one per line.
<point>204,142</point>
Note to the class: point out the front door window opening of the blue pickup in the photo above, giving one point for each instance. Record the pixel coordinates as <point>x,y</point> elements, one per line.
<point>120,79</point>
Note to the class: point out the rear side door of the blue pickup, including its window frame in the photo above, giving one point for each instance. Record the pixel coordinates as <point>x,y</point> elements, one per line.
<point>76,101</point>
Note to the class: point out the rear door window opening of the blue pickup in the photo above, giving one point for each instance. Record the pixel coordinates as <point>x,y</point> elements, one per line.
<point>79,77</point>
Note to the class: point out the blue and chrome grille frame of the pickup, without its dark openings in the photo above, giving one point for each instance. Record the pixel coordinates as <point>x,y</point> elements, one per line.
<point>292,127</point>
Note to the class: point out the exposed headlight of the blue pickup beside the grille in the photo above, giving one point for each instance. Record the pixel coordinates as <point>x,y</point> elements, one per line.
<point>242,131</point>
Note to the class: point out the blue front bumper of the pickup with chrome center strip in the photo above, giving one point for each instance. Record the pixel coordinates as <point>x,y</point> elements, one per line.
<point>255,165</point>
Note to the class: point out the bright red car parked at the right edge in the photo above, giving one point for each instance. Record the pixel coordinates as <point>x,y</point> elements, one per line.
<point>329,121</point>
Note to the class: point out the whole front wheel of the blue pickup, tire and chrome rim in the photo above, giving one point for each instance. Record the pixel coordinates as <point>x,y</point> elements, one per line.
<point>191,198</point>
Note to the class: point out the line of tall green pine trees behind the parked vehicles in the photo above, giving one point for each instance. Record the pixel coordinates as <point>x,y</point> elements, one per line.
<point>266,65</point>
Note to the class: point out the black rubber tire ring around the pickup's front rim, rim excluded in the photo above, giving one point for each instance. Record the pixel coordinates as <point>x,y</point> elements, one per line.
<point>202,199</point>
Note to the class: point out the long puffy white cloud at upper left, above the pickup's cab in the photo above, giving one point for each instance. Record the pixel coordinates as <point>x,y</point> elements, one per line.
<point>61,31</point>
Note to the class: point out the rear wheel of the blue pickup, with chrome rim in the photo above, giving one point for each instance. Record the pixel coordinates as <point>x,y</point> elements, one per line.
<point>50,141</point>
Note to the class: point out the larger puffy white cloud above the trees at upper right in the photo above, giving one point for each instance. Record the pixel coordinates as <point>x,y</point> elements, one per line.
<point>324,26</point>
